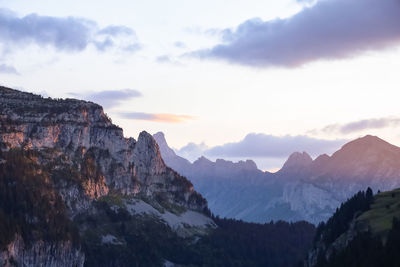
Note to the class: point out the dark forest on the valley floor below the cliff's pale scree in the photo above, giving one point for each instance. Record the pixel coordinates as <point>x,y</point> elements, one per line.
<point>148,242</point>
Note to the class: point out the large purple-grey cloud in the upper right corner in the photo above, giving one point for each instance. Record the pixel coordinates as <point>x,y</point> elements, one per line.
<point>330,29</point>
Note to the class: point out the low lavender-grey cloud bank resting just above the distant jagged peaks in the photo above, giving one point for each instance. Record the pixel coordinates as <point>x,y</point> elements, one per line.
<point>262,145</point>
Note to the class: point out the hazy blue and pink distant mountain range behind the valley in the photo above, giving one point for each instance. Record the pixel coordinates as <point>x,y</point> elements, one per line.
<point>303,189</point>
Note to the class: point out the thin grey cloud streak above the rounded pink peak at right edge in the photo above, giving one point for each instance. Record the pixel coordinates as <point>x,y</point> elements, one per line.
<point>357,126</point>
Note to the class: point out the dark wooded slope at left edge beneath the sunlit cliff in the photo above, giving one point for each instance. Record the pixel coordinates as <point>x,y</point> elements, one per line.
<point>29,206</point>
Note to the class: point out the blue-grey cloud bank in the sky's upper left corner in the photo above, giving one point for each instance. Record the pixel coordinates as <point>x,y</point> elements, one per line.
<point>70,34</point>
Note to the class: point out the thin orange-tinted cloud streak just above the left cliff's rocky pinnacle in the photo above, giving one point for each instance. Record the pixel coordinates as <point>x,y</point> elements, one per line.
<point>157,117</point>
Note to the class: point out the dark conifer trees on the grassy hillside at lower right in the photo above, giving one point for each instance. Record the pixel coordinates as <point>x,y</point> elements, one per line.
<point>365,249</point>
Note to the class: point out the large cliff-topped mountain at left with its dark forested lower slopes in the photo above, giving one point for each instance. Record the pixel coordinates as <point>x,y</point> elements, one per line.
<point>75,192</point>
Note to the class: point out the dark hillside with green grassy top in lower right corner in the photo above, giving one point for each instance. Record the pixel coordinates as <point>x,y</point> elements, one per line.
<point>364,231</point>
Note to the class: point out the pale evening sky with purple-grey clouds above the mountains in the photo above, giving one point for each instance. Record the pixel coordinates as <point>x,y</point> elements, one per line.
<point>238,80</point>
